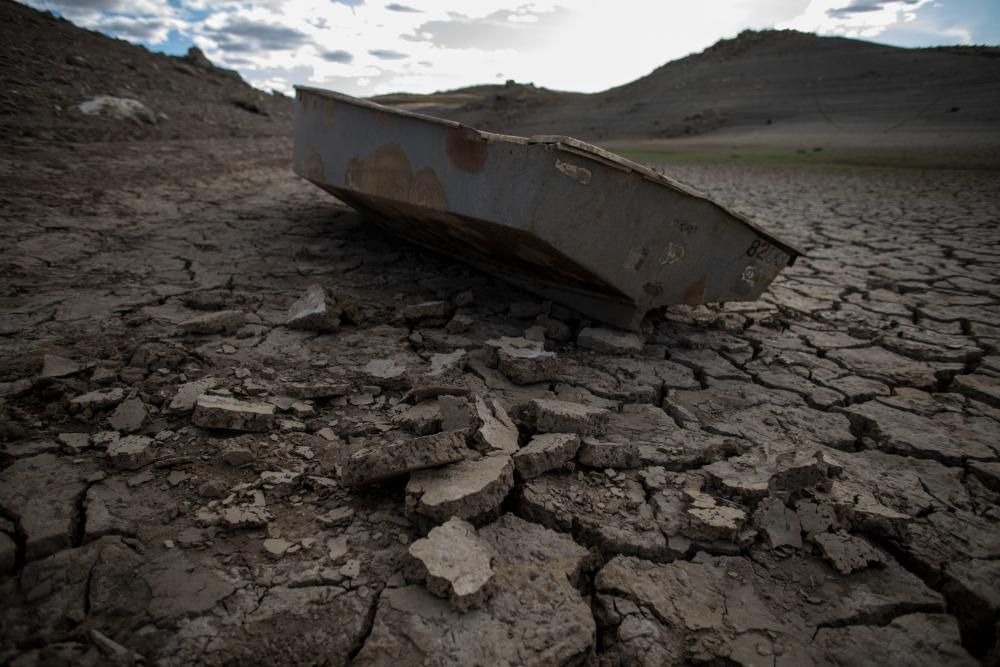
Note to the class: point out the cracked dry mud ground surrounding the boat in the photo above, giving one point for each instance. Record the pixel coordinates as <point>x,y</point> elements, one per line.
<point>809,479</point>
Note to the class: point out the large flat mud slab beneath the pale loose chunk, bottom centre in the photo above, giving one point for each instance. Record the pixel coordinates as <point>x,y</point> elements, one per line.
<point>535,617</point>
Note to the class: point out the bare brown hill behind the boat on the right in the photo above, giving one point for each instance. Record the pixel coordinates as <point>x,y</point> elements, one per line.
<point>778,80</point>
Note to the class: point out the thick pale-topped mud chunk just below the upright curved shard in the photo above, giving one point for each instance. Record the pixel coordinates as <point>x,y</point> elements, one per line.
<point>468,490</point>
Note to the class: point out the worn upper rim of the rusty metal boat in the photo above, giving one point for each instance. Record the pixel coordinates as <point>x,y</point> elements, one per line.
<point>565,144</point>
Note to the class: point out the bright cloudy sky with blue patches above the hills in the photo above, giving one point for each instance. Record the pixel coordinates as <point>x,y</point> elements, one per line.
<point>368,47</point>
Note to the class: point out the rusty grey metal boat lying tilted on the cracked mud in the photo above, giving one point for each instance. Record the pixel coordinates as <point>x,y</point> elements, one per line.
<point>556,216</point>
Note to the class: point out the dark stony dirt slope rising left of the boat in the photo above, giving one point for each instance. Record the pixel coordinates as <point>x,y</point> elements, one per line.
<point>49,67</point>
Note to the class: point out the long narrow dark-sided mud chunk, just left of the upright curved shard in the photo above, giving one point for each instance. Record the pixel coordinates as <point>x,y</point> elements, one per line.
<point>382,461</point>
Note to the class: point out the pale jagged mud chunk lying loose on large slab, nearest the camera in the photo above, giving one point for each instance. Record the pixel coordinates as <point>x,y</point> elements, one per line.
<point>455,564</point>
